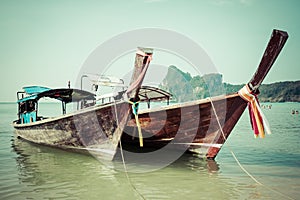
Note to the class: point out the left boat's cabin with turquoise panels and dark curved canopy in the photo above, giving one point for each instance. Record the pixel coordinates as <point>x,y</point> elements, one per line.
<point>29,98</point>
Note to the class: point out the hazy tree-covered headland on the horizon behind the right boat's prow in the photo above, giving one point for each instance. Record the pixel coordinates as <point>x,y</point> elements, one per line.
<point>199,87</point>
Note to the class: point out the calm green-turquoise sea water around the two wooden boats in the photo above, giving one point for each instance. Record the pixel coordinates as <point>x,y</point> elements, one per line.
<point>29,171</point>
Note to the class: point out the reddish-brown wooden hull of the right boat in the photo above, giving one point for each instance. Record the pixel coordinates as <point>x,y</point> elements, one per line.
<point>192,126</point>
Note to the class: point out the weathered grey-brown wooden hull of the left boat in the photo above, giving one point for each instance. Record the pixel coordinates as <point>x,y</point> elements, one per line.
<point>88,130</point>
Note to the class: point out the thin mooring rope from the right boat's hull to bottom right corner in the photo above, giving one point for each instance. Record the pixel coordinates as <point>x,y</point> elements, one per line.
<point>238,162</point>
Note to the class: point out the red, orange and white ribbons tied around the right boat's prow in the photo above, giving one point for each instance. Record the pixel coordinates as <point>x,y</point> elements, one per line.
<point>258,120</point>
